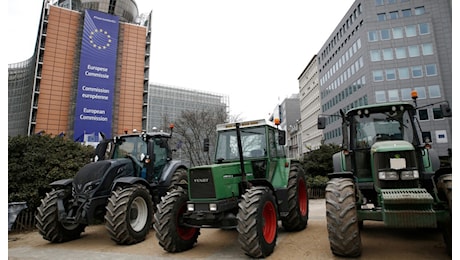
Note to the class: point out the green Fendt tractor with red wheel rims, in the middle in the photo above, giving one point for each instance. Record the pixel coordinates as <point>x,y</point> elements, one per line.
<point>250,187</point>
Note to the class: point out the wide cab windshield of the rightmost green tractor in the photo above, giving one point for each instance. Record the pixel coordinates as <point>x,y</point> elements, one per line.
<point>382,126</point>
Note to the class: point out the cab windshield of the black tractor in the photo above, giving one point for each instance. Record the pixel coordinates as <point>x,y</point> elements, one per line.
<point>133,145</point>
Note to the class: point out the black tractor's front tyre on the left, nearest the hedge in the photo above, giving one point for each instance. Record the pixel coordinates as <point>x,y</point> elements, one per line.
<point>48,223</point>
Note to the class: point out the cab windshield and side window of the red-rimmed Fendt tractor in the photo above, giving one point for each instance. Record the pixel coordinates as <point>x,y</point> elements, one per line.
<point>253,141</point>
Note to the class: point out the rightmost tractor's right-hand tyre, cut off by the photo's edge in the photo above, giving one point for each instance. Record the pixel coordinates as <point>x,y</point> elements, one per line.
<point>444,186</point>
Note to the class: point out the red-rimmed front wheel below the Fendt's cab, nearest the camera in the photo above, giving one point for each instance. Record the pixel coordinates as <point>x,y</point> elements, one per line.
<point>257,222</point>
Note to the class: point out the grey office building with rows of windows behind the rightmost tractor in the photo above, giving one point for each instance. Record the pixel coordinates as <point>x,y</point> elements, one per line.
<point>382,50</point>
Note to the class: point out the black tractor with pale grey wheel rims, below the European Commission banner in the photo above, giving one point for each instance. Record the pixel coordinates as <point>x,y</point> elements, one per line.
<point>121,187</point>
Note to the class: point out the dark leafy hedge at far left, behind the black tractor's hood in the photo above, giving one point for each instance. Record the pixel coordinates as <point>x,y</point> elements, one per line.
<point>36,161</point>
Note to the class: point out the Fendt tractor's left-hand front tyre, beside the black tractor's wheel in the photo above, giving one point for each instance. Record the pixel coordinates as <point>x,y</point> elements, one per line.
<point>171,235</point>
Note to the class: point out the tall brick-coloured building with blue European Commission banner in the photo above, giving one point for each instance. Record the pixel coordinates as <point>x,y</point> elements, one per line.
<point>89,72</point>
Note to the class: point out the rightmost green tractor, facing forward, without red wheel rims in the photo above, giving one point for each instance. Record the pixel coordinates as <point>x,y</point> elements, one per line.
<point>384,173</point>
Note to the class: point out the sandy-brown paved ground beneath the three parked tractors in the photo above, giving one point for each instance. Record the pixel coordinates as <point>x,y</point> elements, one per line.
<point>312,243</point>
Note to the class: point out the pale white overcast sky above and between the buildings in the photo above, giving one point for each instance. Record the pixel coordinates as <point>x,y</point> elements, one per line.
<point>251,50</point>
